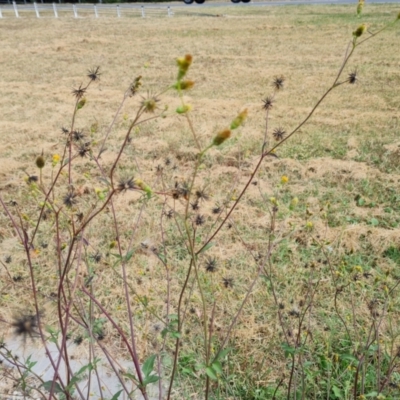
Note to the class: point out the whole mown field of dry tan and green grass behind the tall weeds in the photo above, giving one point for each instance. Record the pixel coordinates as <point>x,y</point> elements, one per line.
<point>326,258</point>
